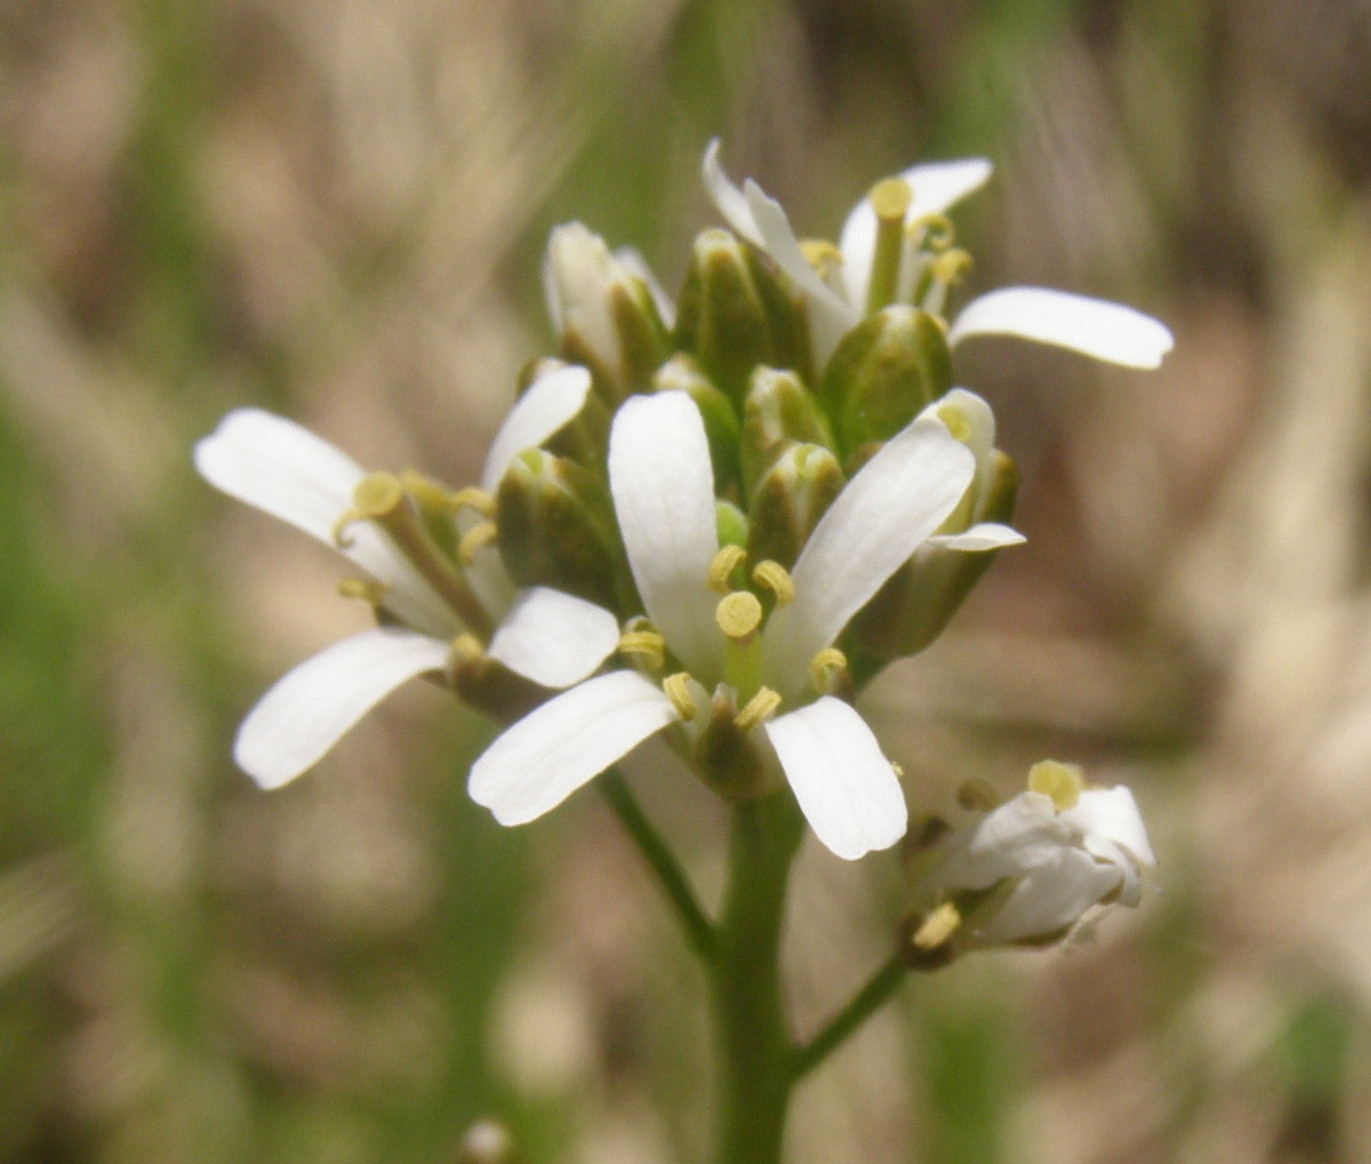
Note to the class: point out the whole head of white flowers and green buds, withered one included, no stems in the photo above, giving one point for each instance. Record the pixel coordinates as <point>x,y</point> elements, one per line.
<point>712,519</point>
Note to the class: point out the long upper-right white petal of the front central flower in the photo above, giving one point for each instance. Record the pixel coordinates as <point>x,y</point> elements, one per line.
<point>899,498</point>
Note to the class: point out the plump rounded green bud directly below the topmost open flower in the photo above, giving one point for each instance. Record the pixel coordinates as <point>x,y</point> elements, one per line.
<point>882,375</point>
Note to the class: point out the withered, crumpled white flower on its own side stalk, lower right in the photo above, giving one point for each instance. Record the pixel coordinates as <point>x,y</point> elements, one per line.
<point>1055,852</point>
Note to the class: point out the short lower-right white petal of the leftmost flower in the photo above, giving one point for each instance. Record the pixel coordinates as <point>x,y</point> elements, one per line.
<point>553,638</point>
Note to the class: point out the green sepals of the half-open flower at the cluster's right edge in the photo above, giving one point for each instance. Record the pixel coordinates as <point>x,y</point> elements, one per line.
<point>914,608</point>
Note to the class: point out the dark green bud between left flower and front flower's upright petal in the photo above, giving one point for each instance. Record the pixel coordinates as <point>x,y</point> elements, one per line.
<point>557,529</point>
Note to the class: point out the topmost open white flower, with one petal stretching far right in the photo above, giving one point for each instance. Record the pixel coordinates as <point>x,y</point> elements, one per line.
<point>1106,331</point>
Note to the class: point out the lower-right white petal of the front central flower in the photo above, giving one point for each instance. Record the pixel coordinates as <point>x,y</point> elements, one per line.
<point>842,781</point>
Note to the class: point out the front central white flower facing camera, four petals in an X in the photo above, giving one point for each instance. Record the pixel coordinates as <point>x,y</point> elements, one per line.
<point>664,497</point>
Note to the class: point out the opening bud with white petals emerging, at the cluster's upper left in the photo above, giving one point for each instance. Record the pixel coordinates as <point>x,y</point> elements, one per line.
<point>604,313</point>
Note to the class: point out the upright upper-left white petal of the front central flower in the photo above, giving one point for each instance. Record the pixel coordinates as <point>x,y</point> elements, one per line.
<point>664,496</point>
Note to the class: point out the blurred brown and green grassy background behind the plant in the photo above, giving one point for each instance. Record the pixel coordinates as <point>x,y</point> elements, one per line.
<point>337,210</point>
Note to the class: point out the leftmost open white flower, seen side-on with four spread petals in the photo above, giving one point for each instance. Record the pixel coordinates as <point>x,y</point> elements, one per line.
<point>545,635</point>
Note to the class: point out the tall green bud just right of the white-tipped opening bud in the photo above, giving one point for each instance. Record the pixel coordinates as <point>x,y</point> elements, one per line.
<point>734,315</point>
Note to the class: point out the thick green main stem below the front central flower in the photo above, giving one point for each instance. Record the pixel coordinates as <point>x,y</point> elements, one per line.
<point>753,1040</point>
